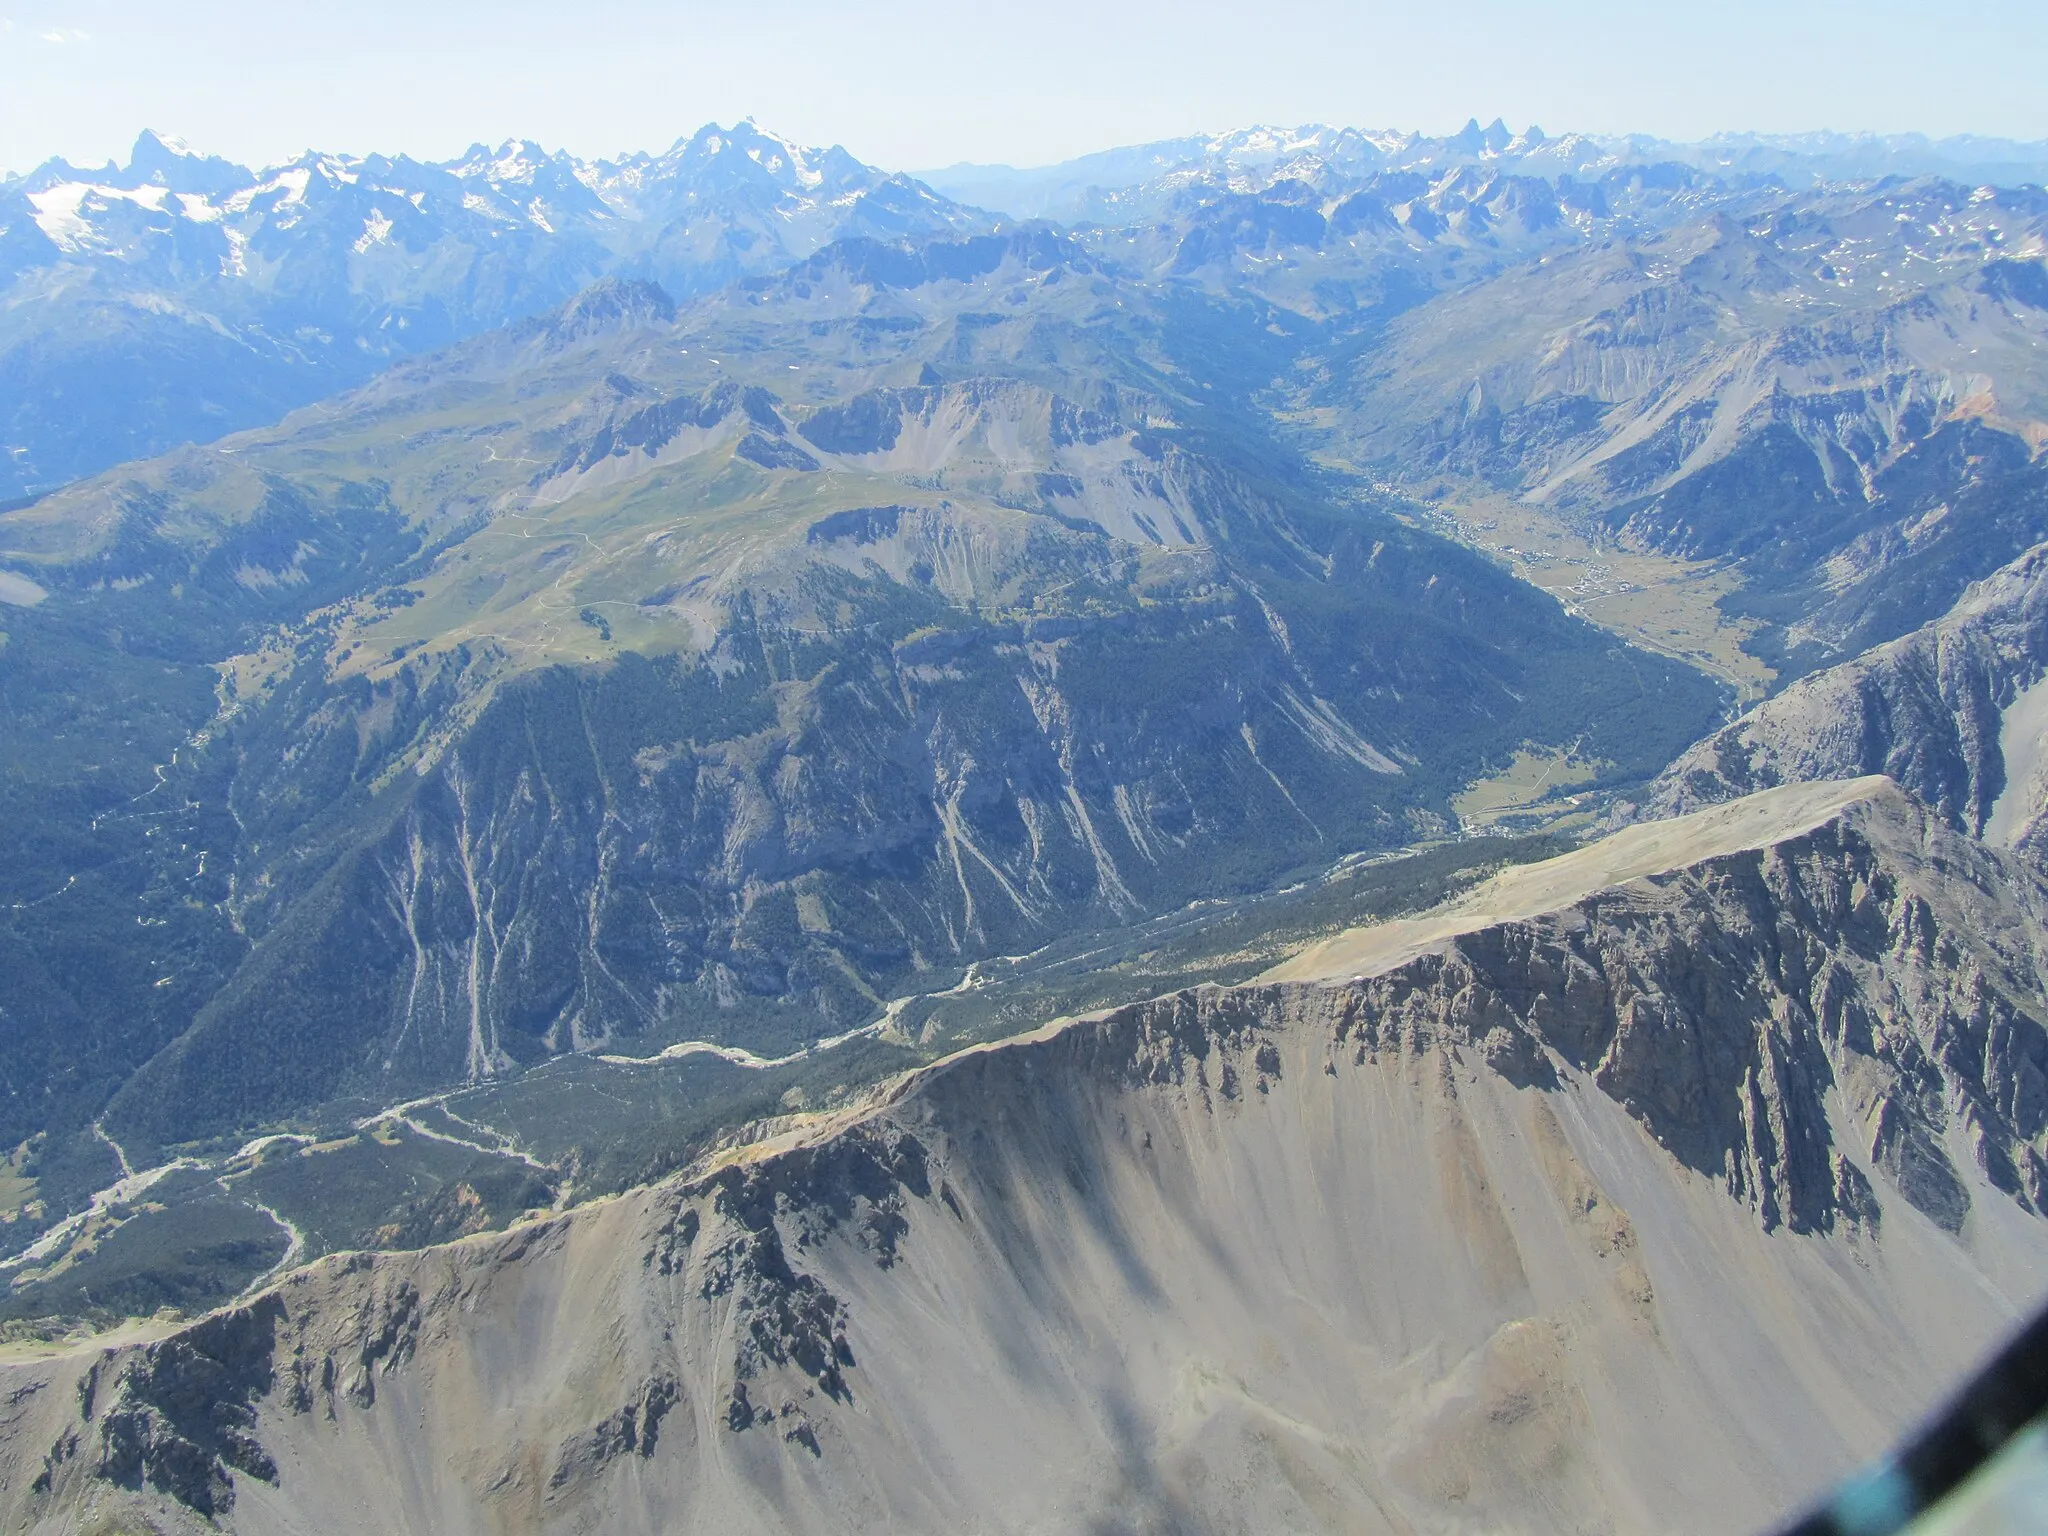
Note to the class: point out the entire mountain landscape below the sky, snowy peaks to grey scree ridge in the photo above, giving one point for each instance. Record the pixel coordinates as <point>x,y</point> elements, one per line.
<point>1299,830</point>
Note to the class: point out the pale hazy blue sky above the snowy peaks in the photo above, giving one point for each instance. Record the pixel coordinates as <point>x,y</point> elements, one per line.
<point>925,83</point>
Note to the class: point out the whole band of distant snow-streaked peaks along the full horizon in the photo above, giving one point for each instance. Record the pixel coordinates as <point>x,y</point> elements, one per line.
<point>181,296</point>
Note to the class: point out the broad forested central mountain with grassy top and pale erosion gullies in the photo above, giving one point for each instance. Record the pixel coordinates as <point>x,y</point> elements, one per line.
<point>724,673</point>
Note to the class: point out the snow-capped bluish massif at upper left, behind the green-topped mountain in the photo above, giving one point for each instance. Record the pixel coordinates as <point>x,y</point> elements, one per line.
<point>181,298</point>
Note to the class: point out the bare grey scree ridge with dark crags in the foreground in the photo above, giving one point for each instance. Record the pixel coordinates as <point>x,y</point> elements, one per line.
<point>1404,1246</point>
